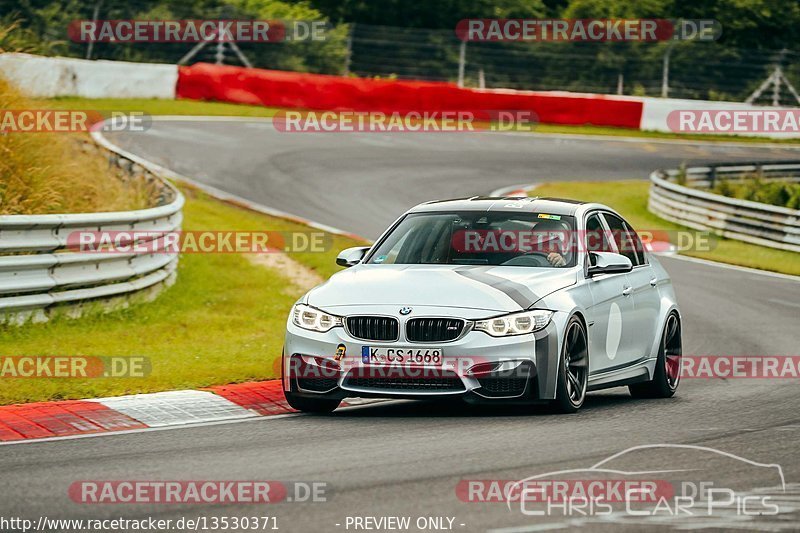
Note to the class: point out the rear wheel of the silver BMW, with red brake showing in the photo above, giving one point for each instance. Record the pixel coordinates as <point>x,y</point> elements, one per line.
<point>667,374</point>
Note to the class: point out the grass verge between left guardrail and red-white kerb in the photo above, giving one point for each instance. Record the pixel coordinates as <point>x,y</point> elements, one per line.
<point>222,321</point>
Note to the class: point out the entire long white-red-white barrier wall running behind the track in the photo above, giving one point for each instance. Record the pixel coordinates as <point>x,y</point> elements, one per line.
<point>49,77</point>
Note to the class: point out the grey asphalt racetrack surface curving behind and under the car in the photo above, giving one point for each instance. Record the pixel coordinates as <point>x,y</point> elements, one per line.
<point>407,458</point>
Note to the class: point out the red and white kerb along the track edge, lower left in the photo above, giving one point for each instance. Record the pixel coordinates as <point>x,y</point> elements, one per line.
<point>70,418</point>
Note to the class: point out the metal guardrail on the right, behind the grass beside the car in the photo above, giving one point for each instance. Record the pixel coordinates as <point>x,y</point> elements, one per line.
<point>743,220</point>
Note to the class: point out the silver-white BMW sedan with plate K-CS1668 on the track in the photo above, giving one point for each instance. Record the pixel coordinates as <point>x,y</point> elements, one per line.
<point>492,300</point>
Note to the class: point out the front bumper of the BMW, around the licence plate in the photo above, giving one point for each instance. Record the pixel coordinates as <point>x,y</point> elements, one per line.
<point>476,367</point>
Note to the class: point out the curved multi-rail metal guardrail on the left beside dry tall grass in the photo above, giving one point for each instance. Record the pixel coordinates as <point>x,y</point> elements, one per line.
<point>38,272</point>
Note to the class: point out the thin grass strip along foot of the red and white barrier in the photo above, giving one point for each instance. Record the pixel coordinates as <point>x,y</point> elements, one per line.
<point>194,107</point>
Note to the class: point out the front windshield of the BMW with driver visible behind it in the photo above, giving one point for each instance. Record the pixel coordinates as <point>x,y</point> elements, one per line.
<point>480,238</point>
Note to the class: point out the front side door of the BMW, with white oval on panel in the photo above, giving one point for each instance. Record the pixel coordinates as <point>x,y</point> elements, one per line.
<point>609,338</point>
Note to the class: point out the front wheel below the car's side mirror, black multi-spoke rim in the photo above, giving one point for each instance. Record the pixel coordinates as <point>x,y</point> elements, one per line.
<point>573,371</point>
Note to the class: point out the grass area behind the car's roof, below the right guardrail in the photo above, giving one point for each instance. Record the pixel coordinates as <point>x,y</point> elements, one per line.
<point>630,199</point>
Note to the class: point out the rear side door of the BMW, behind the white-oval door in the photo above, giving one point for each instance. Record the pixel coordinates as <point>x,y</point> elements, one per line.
<point>643,321</point>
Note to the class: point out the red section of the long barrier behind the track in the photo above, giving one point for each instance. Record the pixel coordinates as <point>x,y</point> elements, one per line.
<point>321,92</point>
